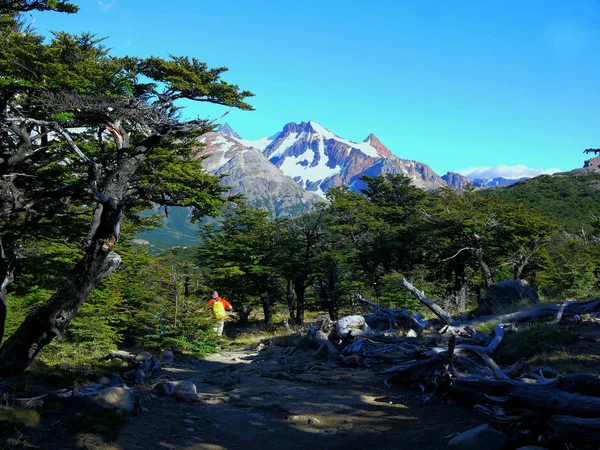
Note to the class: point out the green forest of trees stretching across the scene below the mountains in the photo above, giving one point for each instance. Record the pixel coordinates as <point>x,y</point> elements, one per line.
<point>89,141</point>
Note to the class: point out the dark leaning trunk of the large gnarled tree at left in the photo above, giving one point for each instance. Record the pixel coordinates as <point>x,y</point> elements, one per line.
<point>44,324</point>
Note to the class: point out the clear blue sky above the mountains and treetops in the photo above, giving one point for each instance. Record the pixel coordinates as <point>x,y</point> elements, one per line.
<point>454,84</point>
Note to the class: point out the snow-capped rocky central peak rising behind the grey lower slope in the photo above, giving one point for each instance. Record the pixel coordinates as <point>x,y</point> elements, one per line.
<point>318,159</point>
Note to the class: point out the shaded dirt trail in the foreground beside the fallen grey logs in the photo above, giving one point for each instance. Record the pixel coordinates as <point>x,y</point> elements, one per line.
<point>267,400</point>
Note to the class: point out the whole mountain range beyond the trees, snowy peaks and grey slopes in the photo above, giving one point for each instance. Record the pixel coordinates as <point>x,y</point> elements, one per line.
<point>290,171</point>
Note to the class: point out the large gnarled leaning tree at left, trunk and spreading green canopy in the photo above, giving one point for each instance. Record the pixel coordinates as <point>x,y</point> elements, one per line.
<point>86,134</point>
